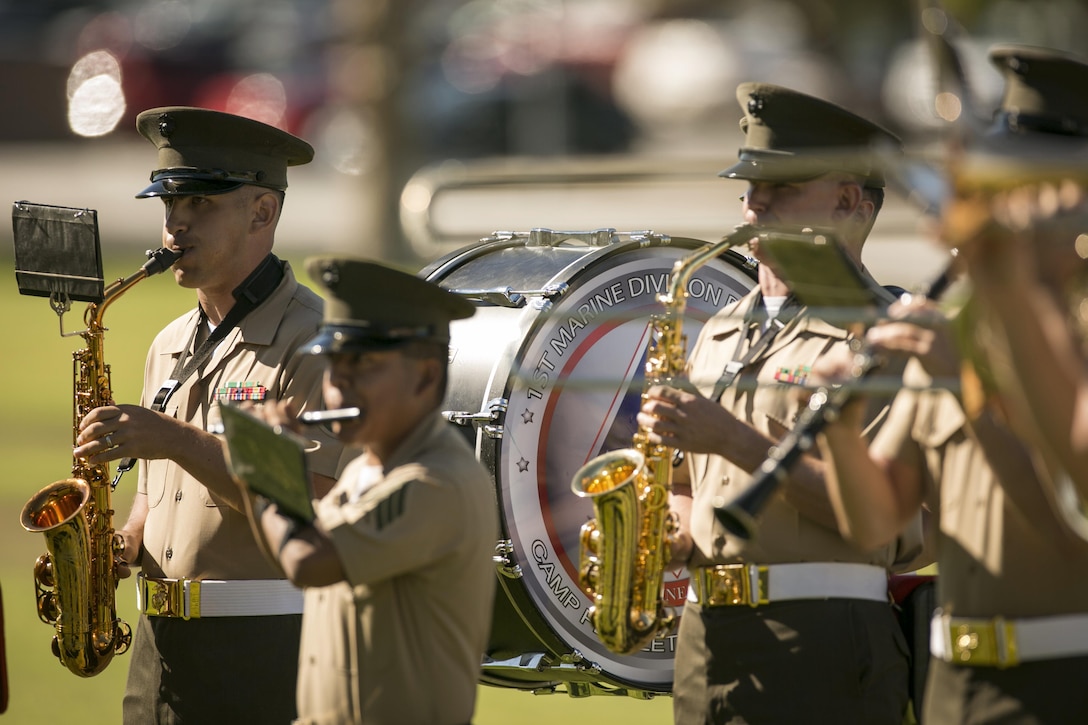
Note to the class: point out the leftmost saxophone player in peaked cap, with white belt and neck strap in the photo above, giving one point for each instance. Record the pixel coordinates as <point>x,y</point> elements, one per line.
<point>218,637</point>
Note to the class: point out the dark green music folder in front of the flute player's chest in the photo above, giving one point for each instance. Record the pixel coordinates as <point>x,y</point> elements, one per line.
<point>269,461</point>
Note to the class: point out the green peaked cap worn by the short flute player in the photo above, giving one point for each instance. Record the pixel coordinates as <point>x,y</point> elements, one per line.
<point>372,306</point>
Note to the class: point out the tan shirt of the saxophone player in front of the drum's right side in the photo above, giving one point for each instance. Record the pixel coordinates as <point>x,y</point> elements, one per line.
<point>761,398</point>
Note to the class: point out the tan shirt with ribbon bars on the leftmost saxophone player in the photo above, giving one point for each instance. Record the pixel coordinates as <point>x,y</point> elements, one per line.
<point>189,532</point>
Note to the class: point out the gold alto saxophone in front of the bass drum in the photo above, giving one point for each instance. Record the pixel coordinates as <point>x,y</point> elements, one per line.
<point>627,547</point>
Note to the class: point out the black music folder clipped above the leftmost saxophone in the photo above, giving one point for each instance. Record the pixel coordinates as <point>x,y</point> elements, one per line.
<point>58,253</point>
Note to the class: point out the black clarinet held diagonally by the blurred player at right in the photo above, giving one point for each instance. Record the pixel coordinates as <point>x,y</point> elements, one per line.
<point>739,515</point>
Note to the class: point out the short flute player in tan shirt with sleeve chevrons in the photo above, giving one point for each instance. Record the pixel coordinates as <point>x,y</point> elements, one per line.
<point>398,564</point>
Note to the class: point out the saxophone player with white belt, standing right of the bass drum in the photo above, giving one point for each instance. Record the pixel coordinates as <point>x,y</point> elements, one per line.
<point>819,642</point>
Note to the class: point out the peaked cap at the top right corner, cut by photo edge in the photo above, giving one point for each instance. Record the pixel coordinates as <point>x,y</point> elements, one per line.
<point>1045,92</point>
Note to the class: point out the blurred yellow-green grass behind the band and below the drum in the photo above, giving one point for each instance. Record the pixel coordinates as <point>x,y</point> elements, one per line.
<point>35,441</point>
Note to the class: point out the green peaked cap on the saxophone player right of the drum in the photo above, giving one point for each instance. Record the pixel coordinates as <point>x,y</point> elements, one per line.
<point>790,137</point>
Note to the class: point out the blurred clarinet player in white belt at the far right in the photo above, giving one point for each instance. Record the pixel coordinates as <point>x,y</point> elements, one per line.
<point>1010,638</point>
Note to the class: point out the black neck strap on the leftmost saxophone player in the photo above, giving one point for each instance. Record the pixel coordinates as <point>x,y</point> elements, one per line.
<point>255,290</point>
